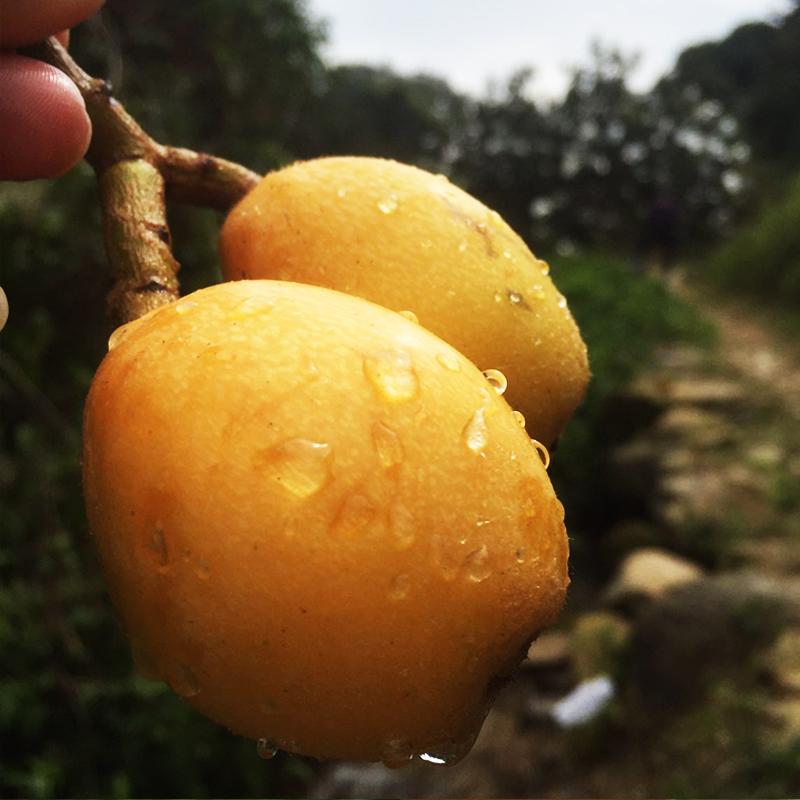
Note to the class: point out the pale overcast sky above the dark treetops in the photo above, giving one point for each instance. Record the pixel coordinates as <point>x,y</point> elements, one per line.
<point>471,43</point>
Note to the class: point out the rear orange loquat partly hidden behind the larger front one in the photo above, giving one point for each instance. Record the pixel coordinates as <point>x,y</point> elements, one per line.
<point>407,239</point>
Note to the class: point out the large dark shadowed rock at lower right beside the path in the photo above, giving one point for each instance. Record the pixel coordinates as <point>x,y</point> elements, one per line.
<point>702,631</point>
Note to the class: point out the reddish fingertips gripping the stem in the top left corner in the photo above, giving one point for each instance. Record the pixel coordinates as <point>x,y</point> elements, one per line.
<point>44,128</point>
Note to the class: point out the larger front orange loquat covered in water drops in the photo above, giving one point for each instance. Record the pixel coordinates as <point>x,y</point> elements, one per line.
<point>356,602</point>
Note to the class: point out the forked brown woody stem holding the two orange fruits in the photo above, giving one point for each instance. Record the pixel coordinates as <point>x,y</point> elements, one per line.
<point>133,172</point>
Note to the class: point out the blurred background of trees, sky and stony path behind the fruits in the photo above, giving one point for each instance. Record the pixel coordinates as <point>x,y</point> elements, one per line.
<point>653,156</point>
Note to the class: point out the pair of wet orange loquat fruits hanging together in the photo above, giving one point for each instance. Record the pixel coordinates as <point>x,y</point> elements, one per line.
<point>321,523</point>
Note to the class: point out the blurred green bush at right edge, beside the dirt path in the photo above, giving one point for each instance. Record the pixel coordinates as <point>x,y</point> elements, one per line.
<point>763,258</point>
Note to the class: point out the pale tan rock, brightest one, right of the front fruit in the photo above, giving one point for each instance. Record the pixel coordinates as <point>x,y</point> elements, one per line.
<point>647,574</point>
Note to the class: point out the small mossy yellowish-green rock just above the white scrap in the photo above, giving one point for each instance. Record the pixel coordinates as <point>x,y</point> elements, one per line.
<point>599,642</point>
